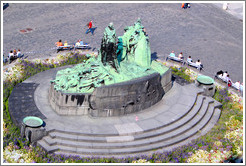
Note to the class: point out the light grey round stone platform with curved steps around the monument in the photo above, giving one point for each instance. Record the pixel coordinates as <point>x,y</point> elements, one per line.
<point>172,122</point>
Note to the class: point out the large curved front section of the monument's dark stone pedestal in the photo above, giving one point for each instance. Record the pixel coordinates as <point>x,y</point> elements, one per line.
<point>126,97</point>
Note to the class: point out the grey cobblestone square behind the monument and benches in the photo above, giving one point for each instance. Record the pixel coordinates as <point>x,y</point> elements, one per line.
<point>204,31</point>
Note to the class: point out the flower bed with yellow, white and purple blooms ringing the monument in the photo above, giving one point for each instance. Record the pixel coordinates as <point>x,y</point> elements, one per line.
<point>223,143</point>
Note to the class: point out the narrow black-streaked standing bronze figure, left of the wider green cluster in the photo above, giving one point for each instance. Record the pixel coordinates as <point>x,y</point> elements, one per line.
<point>109,47</point>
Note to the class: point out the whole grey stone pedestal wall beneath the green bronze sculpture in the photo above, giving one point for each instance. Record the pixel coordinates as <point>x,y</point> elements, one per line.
<point>113,100</point>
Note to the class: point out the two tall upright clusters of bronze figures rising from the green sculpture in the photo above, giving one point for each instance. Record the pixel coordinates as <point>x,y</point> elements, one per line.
<point>133,46</point>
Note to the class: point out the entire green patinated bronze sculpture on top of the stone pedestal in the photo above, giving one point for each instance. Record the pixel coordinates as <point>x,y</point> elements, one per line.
<point>118,61</point>
